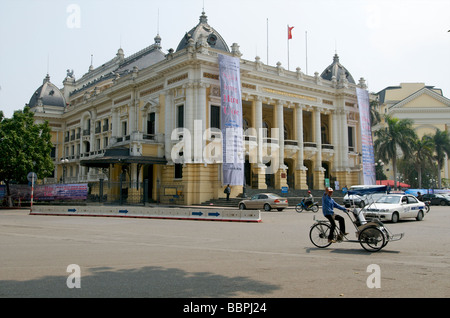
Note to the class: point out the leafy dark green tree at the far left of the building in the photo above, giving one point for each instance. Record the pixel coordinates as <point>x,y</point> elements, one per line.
<point>24,147</point>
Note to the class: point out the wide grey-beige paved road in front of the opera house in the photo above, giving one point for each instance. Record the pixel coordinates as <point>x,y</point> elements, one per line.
<point>173,258</point>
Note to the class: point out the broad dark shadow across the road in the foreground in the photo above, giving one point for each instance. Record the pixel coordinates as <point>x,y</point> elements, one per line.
<point>148,281</point>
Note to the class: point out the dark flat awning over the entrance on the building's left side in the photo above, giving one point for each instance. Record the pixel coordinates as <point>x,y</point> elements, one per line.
<point>121,156</point>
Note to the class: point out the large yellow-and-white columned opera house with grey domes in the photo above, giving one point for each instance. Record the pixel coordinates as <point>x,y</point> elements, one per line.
<point>120,122</point>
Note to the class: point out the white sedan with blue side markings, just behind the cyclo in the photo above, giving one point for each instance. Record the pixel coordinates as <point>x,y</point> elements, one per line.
<point>394,207</point>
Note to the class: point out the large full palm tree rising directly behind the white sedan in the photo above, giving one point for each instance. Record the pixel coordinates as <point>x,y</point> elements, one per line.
<point>398,134</point>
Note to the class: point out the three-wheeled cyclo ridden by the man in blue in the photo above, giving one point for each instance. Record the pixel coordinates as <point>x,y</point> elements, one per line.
<point>372,234</point>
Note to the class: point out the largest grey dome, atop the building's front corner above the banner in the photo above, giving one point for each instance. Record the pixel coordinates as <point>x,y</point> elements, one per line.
<point>204,29</point>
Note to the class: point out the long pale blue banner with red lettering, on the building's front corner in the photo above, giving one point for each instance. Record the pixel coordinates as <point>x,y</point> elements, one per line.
<point>231,120</point>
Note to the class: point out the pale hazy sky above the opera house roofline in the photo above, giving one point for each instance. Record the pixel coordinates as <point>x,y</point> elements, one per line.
<point>385,42</point>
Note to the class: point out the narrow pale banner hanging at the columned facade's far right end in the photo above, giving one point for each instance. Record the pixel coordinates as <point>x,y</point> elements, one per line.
<point>368,158</point>
